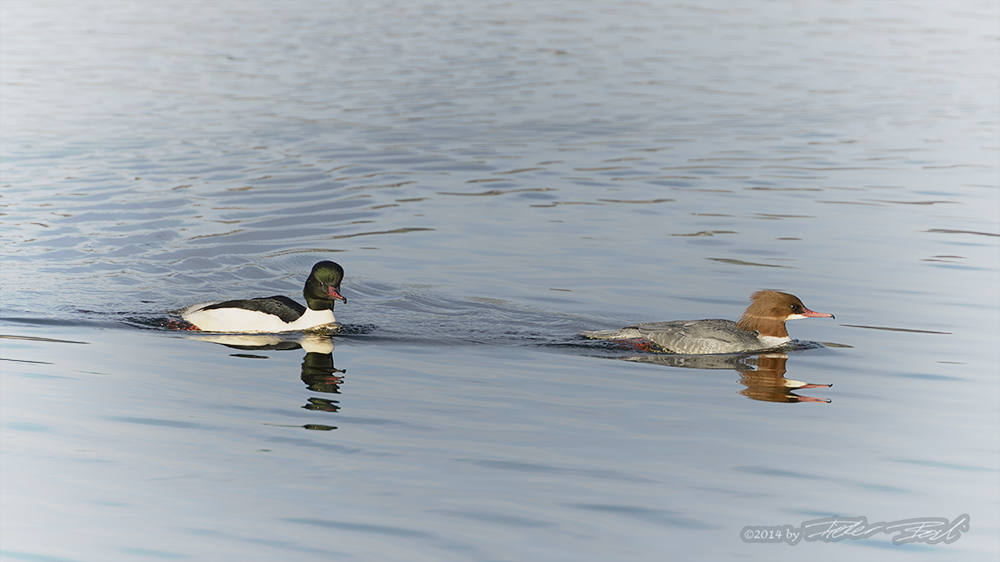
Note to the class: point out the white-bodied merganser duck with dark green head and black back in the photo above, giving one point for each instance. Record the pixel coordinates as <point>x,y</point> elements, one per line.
<point>274,314</point>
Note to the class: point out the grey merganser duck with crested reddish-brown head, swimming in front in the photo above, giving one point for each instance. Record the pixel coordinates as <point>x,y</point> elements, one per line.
<point>761,327</point>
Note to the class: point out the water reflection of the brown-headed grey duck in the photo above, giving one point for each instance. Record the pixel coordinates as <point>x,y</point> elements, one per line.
<point>762,374</point>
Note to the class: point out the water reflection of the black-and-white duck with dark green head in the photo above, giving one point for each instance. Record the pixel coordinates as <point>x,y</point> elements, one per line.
<point>318,371</point>
